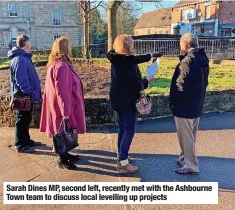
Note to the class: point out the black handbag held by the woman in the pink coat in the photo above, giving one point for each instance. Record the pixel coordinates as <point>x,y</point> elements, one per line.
<point>66,140</point>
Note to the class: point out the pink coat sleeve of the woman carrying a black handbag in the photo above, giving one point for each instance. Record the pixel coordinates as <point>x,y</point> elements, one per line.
<point>63,87</point>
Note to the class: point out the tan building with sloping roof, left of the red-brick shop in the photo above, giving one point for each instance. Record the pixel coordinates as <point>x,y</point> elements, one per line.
<point>155,22</point>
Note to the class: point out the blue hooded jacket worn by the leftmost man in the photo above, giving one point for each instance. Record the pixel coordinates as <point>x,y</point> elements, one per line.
<point>24,75</point>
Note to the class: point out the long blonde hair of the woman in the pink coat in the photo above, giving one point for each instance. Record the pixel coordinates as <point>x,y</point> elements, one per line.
<point>61,51</point>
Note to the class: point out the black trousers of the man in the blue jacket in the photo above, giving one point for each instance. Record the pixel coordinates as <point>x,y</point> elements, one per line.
<point>23,119</point>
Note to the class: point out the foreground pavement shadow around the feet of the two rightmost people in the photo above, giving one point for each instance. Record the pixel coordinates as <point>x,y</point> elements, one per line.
<point>160,168</point>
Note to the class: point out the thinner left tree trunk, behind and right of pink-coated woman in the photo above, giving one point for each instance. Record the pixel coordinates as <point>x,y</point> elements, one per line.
<point>86,31</point>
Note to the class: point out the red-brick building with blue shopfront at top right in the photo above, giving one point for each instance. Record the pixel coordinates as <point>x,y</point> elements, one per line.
<point>204,18</point>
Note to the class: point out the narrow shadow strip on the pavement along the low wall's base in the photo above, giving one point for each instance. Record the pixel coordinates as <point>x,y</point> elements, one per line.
<point>210,121</point>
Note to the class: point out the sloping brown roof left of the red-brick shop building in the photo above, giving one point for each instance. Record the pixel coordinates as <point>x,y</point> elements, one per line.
<point>156,18</point>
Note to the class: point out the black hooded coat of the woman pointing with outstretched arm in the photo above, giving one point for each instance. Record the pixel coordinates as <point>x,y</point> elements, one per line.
<point>126,80</point>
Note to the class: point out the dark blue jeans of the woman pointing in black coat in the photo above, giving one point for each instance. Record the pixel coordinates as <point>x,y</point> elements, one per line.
<point>126,132</point>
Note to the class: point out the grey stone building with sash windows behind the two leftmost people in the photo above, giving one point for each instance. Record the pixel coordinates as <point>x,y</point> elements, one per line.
<point>43,20</point>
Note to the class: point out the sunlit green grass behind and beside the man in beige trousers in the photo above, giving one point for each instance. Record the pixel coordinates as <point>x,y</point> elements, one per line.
<point>221,77</point>
